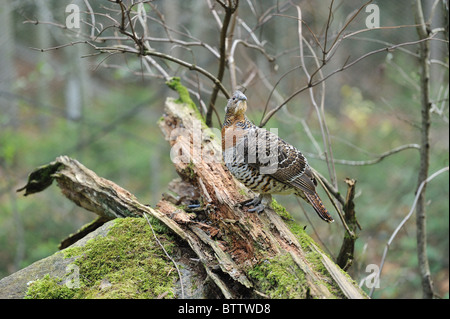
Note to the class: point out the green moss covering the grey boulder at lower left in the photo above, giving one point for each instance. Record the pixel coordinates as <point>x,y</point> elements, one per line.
<point>127,263</point>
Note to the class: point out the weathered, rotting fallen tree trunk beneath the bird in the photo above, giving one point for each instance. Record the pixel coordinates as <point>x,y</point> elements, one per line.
<point>246,255</point>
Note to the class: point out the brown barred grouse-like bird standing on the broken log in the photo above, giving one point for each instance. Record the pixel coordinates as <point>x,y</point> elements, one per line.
<point>264,162</point>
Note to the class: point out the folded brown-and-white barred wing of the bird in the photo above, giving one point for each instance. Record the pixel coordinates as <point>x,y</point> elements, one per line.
<point>282,161</point>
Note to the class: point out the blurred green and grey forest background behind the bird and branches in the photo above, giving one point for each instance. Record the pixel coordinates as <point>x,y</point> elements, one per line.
<point>102,109</point>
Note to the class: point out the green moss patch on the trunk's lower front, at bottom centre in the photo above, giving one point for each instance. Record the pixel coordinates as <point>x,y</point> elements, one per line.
<point>279,277</point>
